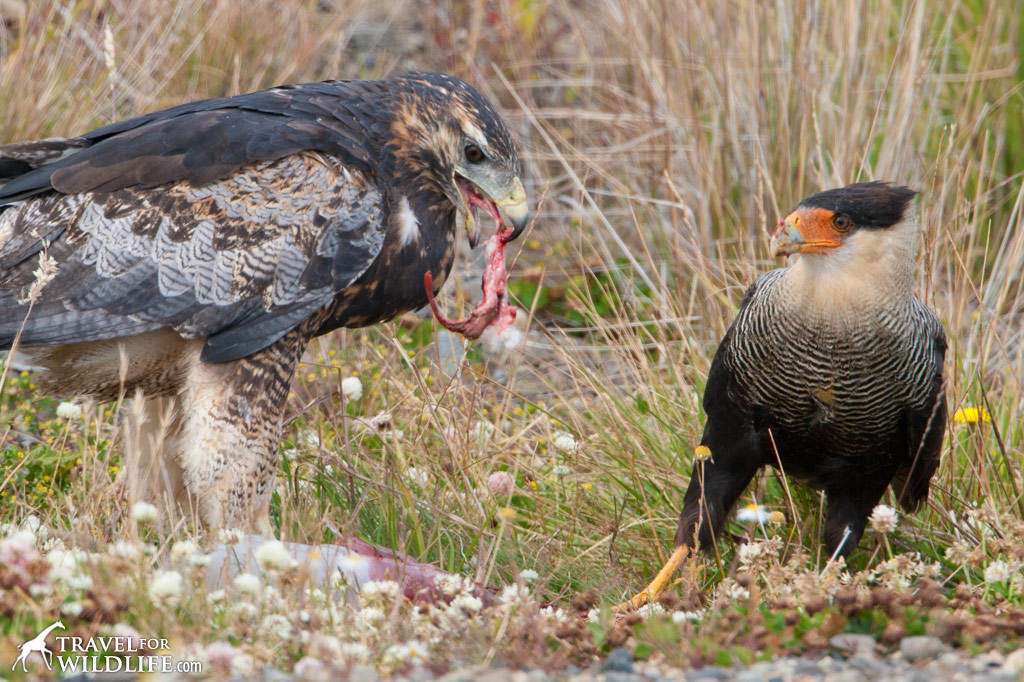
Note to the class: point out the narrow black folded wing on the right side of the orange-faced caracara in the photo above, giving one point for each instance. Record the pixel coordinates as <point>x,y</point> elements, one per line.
<point>927,424</point>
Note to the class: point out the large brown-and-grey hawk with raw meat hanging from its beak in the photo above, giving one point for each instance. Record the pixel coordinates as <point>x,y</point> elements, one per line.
<point>192,253</point>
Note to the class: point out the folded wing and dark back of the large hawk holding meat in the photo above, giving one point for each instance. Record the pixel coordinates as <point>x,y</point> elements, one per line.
<point>231,219</point>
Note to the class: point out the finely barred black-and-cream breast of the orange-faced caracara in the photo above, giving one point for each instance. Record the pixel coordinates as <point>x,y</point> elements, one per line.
<point>823,379</point>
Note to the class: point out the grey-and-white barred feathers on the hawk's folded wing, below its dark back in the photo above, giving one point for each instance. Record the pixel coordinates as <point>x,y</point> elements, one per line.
<point>241,261</point>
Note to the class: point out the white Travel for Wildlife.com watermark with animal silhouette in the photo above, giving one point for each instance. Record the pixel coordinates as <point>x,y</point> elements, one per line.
<point>104,655</point>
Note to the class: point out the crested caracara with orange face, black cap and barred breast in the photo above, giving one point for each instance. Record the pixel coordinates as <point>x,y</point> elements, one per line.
<point>831,372</point>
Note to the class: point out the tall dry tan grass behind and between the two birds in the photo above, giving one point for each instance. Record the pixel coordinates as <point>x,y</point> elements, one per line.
<point>667,139</point>
